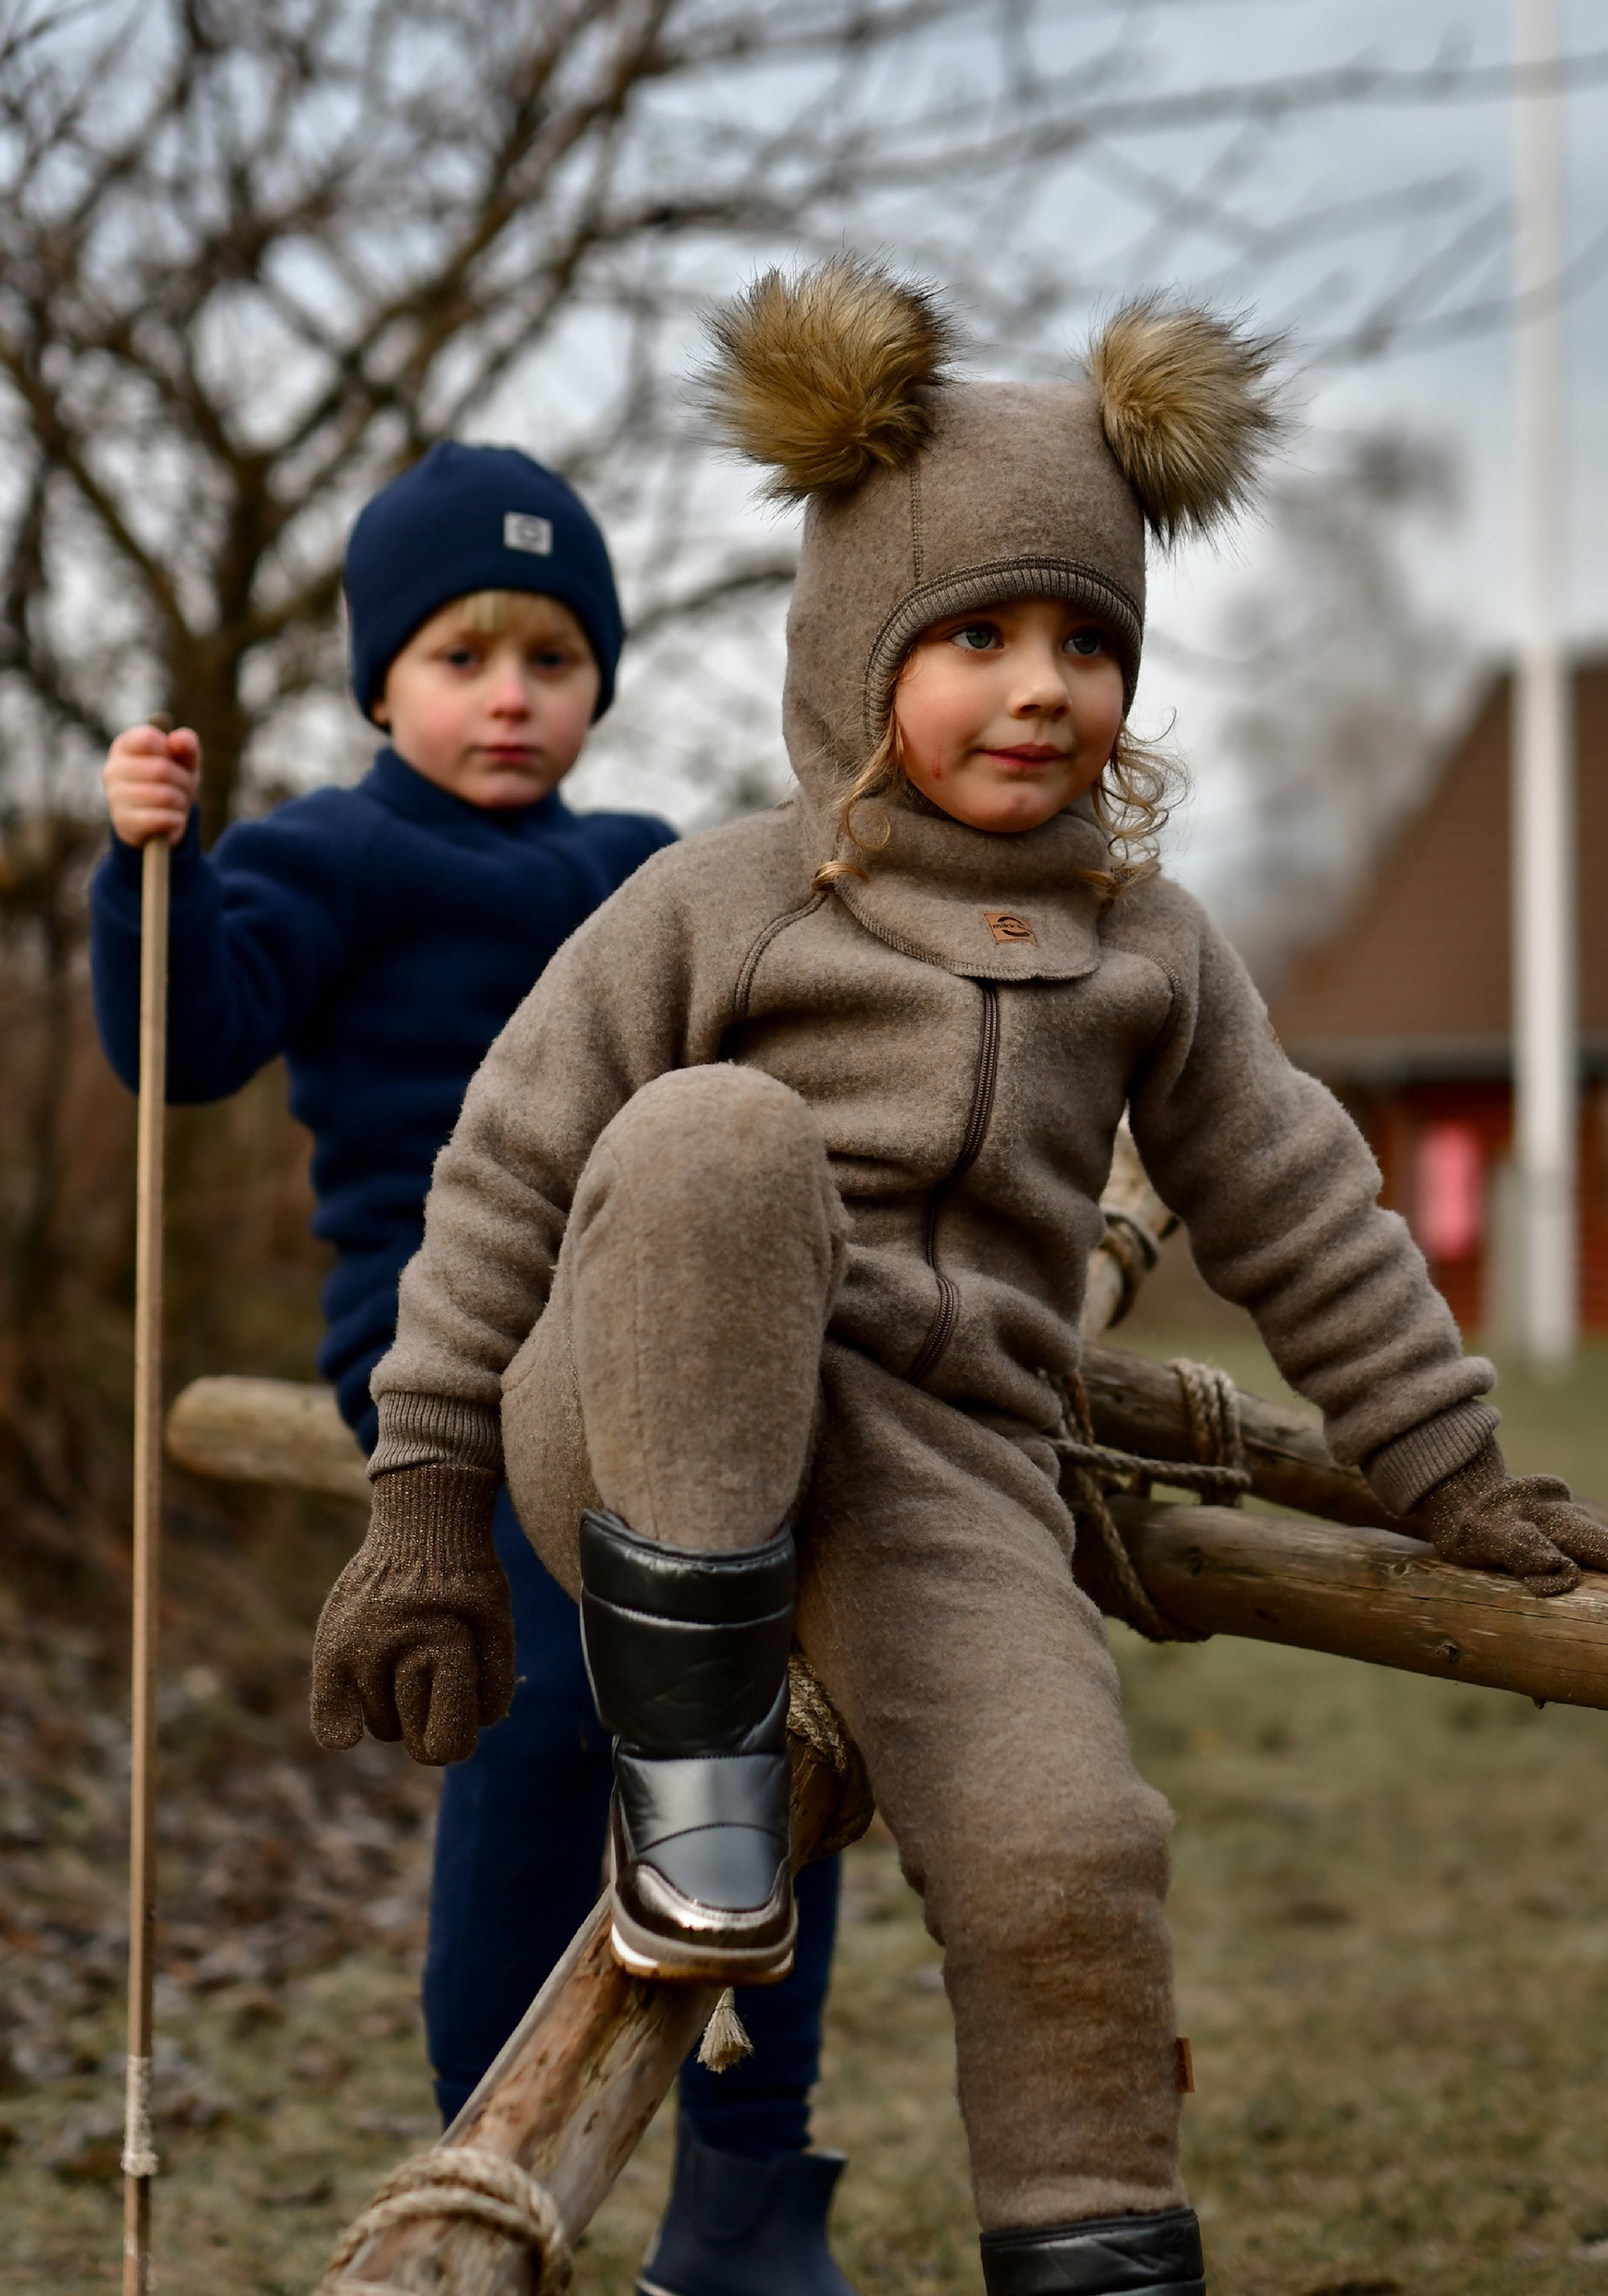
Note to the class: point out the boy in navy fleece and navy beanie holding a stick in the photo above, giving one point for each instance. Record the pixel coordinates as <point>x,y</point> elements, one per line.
<point>380,938</point>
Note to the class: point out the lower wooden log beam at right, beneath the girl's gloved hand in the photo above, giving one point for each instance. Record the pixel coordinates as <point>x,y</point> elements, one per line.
<point>1368,1595</point>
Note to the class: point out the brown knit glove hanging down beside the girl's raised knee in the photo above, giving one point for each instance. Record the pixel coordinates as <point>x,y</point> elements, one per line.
<point>417,1636</point>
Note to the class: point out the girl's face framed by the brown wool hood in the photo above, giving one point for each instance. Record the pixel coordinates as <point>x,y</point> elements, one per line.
<point>1010,715</point>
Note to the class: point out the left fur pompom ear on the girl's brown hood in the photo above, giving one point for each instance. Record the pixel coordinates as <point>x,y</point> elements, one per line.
<point>821,375</point>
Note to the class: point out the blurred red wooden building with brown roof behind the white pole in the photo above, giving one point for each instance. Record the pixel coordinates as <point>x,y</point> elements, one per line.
<point>1405,1011</point>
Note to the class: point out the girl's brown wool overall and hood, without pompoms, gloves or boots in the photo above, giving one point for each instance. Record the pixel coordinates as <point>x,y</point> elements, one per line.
<point>778,1204</point>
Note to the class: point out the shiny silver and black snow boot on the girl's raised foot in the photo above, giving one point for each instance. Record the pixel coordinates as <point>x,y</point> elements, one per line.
<point>688,1657</point>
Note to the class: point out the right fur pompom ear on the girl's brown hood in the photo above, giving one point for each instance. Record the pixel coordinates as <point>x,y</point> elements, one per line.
<point>1189,412</point>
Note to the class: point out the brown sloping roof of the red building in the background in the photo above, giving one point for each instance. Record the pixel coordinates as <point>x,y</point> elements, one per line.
<point>1416,977</point>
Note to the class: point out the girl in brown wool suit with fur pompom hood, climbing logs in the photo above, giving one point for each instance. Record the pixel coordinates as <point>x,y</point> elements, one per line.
<point>759,1250</point>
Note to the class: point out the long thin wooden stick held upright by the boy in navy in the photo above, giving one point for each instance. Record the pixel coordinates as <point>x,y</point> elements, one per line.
<point>139,2157</point>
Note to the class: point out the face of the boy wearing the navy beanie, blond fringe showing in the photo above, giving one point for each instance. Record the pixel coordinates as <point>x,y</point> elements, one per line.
<point>495,717</point>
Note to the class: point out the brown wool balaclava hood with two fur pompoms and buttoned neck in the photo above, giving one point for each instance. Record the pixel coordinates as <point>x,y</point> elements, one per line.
<point>927,497</point>
